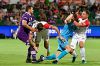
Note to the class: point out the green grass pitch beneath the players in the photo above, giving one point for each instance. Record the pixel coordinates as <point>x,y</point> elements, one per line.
<point>13,53</point>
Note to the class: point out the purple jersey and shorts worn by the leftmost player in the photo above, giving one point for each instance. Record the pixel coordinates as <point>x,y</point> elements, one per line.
<point>23,33</point>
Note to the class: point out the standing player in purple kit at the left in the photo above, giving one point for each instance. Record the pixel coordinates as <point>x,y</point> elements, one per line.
<point>25,33</point>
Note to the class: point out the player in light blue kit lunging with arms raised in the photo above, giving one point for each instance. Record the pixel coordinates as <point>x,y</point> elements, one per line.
<point>63,47</point>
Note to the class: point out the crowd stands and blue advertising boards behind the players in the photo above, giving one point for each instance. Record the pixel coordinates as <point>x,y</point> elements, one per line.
<point>52,11</point>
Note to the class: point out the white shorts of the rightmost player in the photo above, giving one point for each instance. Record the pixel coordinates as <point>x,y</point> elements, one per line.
<point>76,39</point>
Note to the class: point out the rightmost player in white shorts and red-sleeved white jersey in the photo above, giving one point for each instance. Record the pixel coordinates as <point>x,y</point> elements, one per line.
<point>79,35</point>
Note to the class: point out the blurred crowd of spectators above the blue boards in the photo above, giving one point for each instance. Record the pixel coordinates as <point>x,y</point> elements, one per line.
<point>53,12</point>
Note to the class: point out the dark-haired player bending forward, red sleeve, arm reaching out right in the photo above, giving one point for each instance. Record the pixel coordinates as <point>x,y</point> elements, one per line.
<point>42,33</point>
